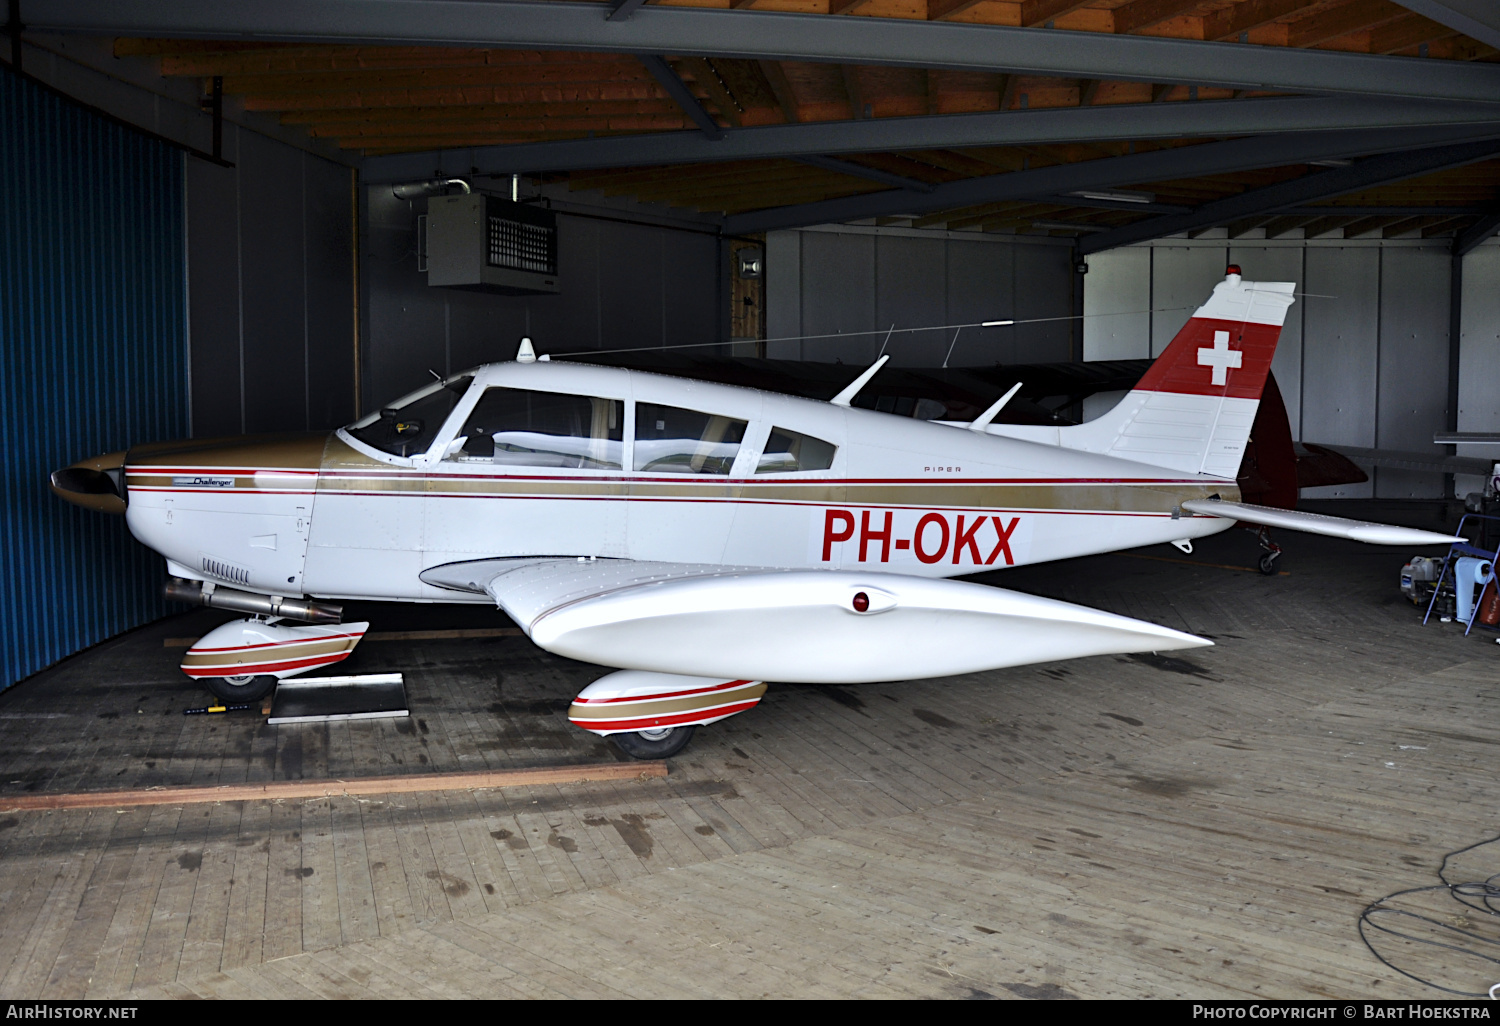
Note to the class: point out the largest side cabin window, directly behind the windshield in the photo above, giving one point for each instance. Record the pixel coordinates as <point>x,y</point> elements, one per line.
<point>521,428</point>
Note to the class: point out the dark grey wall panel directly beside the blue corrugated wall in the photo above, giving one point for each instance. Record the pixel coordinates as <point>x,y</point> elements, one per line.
<point>214,295</point>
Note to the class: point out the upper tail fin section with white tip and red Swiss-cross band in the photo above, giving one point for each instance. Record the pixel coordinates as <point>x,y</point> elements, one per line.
<point>1226,347</point>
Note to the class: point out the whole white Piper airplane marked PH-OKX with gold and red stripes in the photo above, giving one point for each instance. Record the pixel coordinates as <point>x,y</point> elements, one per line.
<point>704,538</point>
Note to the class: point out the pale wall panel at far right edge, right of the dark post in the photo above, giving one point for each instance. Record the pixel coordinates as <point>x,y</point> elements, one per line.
<point>1480,358</point>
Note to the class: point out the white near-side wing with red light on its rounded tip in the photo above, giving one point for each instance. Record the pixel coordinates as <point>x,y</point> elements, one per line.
<point>794,626</point>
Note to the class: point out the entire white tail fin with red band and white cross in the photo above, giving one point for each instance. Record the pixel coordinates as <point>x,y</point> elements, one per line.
<point>1196,404</point>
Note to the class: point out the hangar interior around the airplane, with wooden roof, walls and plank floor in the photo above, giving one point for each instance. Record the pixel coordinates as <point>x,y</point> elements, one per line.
<point>221,223</point>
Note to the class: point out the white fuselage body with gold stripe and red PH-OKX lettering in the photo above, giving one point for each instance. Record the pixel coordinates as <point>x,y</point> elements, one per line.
<point>344,520</point>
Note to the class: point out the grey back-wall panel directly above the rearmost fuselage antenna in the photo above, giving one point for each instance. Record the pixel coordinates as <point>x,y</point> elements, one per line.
<point>982,287</point>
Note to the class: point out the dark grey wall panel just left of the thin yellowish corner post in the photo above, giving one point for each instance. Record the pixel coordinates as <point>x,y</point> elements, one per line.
<point>329,236</point>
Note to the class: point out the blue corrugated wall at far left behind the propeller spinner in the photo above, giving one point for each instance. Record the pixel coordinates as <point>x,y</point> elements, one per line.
<point>92,343</point>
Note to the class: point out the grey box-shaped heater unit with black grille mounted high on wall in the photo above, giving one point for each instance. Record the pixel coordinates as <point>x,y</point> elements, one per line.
<point>491,245</point>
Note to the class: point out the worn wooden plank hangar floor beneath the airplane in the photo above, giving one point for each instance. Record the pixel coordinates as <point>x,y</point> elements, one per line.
<point>1108,827</point>
